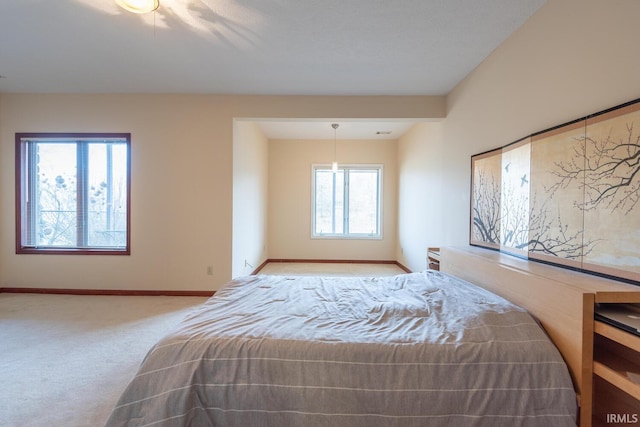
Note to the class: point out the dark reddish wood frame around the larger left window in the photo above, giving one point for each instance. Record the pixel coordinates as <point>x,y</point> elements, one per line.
<point>22,189</point>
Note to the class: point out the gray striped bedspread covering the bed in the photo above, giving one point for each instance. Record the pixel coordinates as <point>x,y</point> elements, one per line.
<point>420,349</point>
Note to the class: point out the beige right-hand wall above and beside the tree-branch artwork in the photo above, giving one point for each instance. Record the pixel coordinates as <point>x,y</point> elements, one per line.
<point>572,58</point>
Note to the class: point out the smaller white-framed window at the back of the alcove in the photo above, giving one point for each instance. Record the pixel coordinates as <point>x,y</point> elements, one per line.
<point>347,203</point>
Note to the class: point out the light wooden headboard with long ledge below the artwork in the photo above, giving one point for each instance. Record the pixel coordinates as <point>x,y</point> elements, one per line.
<point>562,301</point>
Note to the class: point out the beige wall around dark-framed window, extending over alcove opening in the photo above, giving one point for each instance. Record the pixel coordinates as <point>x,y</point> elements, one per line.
<point>182,179</point>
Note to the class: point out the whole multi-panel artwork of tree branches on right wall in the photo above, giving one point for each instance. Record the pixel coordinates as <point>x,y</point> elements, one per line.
<point>569,195</point>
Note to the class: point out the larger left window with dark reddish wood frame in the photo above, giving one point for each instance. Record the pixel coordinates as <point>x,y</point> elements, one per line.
<point>72,193</point>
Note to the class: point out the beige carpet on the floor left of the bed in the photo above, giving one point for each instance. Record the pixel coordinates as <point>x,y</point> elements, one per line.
<point>65,359</point>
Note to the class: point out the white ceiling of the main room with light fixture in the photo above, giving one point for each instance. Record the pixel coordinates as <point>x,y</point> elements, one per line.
<point>261,47</point>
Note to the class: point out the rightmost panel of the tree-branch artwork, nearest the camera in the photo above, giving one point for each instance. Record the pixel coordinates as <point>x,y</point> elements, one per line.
<point>611,182</point>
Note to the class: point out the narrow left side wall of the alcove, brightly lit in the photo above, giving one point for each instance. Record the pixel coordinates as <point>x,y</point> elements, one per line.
<point>250,197</point>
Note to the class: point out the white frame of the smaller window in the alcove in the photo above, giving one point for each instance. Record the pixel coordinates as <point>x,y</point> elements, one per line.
<point>380,204</point>
